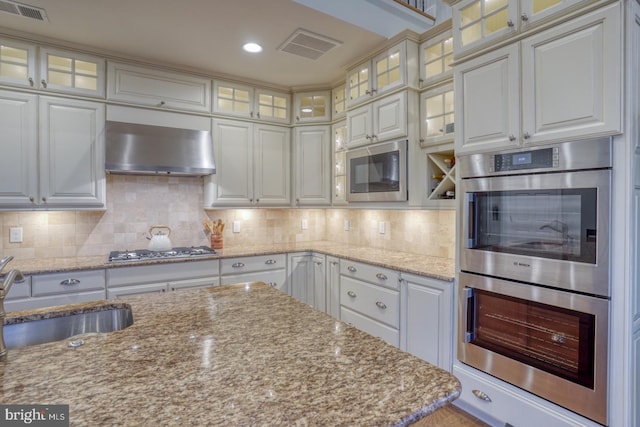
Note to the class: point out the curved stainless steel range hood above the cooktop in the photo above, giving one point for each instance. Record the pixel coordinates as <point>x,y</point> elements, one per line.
<point>151,150</point>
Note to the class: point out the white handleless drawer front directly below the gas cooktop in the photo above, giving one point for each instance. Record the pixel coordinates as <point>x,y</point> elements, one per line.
<point>136,275</point>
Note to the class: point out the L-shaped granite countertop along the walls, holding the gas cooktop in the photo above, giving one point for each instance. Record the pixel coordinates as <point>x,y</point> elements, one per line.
<point>438,268</point>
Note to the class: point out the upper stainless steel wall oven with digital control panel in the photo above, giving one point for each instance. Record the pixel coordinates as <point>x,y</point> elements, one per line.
<point>539,215</point>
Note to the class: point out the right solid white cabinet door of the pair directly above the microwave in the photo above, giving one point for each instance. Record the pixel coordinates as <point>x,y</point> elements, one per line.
<point>390,117</point>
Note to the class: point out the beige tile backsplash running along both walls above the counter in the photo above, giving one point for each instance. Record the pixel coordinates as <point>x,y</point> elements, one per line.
<point>137,202</point>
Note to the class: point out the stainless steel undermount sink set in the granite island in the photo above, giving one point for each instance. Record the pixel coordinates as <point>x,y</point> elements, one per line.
<point>59,328</point>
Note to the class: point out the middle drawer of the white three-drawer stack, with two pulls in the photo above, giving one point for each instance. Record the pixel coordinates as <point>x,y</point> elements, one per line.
<point>374,301</point>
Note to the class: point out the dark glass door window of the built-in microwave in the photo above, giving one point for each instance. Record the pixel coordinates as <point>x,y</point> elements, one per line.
<point>376,173</point>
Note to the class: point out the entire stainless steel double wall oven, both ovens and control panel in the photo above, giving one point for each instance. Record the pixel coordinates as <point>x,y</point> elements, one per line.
<point>534,282</point>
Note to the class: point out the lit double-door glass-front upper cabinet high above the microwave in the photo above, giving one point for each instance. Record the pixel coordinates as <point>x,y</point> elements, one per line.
<point>387,71</point>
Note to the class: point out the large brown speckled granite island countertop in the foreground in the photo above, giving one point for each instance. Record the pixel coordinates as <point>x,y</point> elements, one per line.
<point>230,355</point>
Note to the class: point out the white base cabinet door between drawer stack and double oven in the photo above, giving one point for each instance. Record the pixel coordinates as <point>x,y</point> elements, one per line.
<point>427,315</point>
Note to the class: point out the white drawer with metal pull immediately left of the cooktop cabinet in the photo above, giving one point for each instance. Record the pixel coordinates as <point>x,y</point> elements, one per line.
<point>69,282</point>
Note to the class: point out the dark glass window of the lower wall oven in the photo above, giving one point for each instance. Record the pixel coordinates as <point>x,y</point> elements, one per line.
<point>557,340</point>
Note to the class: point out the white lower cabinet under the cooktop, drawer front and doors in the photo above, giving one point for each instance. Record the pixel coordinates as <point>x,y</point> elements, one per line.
<point>144,279</point>
